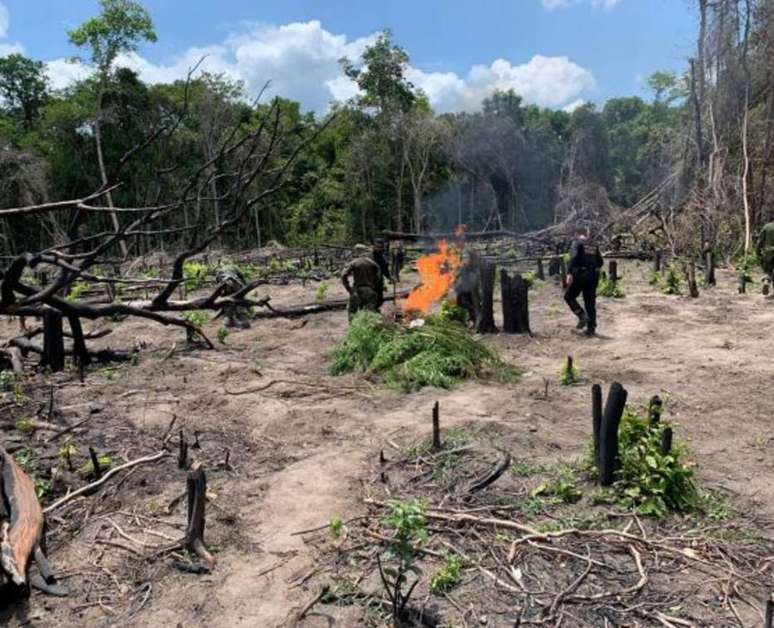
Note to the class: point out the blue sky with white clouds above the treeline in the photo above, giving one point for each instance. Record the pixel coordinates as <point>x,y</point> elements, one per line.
<point>555,52</point>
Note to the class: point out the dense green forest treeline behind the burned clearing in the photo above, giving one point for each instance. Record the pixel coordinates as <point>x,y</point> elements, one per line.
<point>699,151</point>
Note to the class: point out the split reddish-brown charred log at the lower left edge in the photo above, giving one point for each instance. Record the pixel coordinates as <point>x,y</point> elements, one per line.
<point>21,523</point>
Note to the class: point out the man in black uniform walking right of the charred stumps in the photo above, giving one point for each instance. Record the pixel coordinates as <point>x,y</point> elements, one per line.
<point>582,278</point>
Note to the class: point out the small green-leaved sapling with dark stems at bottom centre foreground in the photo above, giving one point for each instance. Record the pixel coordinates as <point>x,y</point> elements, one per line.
<point>407,521</point>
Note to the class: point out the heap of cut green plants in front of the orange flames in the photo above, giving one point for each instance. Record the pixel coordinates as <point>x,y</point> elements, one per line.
<point>438,353</point>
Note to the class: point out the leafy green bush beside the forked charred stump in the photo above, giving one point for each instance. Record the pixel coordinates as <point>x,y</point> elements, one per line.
<point>650,482</point>
